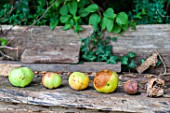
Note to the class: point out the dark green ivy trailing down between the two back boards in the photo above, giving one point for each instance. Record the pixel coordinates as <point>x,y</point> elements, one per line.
<point>96,48</point>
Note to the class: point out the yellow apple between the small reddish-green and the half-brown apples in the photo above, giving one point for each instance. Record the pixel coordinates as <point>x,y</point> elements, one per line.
<point>78,81</point>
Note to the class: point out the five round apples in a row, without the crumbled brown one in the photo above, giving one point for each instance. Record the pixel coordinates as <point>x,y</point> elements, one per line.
<point>105,81</point>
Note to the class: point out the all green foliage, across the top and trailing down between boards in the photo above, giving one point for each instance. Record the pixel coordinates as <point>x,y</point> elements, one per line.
<point>105,15</point>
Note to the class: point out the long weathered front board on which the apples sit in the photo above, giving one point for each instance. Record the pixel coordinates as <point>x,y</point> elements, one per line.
<point>89,99</point>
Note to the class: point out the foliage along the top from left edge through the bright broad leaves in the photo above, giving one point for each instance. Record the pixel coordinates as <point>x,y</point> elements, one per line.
<point>69,13</point>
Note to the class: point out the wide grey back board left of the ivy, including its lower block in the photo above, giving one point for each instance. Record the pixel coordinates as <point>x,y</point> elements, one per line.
<point>62,44</point>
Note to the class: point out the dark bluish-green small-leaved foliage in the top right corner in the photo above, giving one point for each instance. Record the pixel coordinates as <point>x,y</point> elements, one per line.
<point>149,12</point>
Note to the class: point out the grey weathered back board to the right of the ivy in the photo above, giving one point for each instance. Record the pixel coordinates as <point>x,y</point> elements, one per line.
<point>143,41</point>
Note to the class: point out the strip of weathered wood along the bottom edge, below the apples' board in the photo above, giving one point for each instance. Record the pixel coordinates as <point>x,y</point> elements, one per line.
<point>25,108</point>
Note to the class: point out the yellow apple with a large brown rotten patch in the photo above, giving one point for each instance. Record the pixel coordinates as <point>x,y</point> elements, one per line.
<point>106,81</point>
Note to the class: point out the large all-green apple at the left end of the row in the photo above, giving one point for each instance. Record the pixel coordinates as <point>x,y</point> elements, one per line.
<point>21,77</point>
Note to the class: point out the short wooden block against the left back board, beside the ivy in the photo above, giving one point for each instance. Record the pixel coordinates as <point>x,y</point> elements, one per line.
<point>57,54</point>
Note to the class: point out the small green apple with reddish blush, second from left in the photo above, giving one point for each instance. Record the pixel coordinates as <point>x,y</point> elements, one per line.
<point>51,80</point>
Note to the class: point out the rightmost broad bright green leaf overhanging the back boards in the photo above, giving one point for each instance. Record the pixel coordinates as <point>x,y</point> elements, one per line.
<point>122,19</point>
